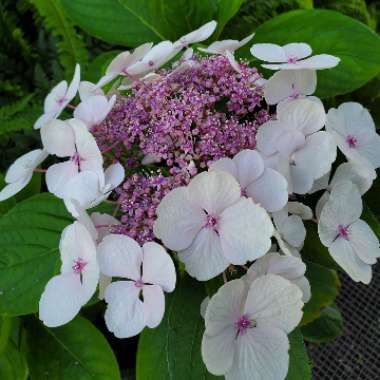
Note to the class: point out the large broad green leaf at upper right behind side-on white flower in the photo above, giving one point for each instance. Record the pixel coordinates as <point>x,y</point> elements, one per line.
<point>329,32</point>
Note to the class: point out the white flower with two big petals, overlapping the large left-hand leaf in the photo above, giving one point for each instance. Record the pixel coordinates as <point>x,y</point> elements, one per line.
<point>66,293</point>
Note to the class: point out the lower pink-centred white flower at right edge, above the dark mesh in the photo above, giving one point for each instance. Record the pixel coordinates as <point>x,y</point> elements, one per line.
<point>350,240</point>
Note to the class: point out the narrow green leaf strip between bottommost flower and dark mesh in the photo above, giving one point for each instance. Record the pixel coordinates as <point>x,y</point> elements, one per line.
<point>299,365</point>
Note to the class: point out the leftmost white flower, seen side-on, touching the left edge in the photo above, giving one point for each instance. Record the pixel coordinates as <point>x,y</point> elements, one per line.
<point>20,172</point>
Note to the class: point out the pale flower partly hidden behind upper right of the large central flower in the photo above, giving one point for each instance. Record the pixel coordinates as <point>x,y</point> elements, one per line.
<point>265,186</point>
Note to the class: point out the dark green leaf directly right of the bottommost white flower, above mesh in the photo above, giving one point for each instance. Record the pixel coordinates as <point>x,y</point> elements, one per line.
<point>325,286</point>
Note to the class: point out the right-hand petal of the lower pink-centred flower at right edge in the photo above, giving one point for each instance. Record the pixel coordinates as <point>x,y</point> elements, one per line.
<point>364,241</point>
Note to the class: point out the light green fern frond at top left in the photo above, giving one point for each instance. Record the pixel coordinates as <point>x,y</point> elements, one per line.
<point>70,45</point>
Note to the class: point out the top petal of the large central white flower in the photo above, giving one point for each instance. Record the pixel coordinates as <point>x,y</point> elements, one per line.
<point>213,191</point>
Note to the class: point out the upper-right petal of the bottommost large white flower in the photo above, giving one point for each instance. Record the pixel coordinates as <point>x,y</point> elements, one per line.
<point>275,301</point>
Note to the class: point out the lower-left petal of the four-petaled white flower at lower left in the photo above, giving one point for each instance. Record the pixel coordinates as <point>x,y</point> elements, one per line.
<point>125,314</point>
